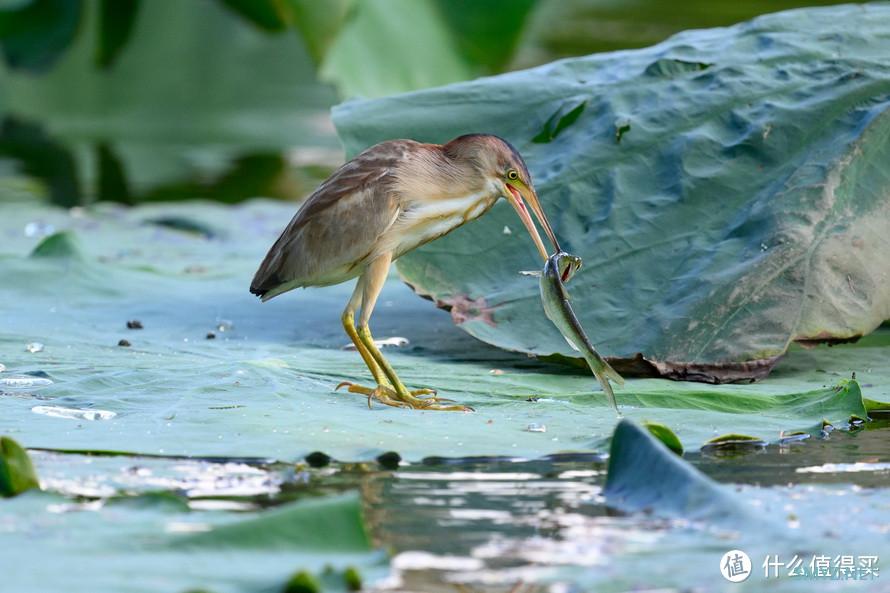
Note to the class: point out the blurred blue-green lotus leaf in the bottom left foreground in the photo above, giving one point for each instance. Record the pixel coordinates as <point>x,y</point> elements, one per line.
<point>153,547</point>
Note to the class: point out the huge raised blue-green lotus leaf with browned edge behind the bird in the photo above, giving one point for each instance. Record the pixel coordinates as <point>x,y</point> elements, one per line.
<point>727,190</point>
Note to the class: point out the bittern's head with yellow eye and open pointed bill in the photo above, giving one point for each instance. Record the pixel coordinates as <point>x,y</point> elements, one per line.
<point>503,168</point>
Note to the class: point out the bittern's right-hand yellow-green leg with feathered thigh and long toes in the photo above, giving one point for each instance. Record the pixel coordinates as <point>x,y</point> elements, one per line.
<point>396,394</point>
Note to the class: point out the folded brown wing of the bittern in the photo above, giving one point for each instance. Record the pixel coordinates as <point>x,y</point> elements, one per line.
<point>337,226</point>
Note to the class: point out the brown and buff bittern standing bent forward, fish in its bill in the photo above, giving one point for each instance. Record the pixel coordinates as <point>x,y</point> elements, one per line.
<point>390,199</point>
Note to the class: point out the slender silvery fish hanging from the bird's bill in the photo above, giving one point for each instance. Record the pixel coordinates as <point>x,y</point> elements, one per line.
<point>558,269</point>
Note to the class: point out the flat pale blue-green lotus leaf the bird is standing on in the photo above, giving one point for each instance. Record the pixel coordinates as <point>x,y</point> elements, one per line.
<point>263,387</point>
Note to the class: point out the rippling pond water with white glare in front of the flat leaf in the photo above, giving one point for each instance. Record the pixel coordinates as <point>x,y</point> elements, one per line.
<point>526,525</point>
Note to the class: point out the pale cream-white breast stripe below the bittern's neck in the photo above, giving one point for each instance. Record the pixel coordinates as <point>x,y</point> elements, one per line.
<point>422,221</point>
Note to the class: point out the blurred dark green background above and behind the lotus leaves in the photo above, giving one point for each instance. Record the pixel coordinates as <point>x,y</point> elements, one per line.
<point>133,101</point>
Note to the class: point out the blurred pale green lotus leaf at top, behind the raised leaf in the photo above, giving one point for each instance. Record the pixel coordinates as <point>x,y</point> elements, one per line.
<point>367,50</point>
